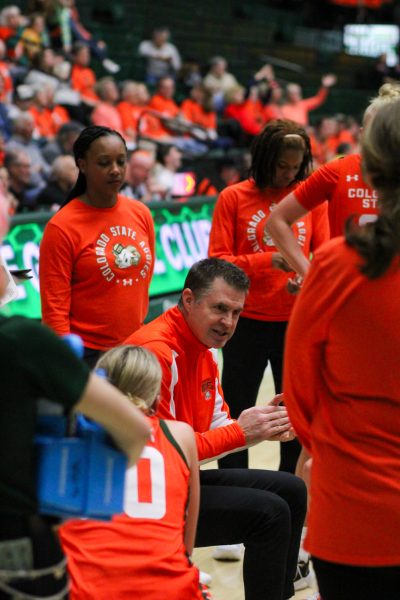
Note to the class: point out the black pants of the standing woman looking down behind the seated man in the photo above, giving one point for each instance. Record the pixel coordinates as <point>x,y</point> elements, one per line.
<point>246,356</point>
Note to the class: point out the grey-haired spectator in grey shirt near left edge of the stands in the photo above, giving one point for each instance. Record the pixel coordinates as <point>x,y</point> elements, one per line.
<point>22,139</point>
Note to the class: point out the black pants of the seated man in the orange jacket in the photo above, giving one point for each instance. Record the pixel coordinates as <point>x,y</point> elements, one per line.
<point>265,511</point>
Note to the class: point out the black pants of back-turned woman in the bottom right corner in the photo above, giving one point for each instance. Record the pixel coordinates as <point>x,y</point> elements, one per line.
<point>345,582</point>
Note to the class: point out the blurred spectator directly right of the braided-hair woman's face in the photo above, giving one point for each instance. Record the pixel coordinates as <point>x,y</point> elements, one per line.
<point>139,183</point>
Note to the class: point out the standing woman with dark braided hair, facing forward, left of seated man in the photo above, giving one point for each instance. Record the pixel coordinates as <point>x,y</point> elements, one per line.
<point>97,252</point>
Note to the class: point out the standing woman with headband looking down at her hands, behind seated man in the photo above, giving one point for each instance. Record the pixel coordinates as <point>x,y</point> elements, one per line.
<point>281,158</point>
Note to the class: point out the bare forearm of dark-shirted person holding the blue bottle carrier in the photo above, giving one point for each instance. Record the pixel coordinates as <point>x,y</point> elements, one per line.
<point>103,403</point>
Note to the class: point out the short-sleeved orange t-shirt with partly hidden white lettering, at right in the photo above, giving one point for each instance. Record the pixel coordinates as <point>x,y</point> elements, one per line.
<point>341,183</point>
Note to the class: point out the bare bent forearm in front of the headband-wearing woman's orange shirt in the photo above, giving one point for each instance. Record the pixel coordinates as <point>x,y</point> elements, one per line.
<point>279,227</point>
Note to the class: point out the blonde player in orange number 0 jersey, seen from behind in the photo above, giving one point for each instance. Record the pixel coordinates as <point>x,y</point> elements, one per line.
<point>145,551</point>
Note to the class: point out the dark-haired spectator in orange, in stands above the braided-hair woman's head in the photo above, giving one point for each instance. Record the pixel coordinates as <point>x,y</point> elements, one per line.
<point>83,78</point>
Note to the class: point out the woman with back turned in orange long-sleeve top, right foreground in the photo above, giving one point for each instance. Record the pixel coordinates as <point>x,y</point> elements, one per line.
<point>342,387</point>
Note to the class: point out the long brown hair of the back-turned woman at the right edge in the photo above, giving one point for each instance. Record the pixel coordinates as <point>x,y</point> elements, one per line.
<point>379,242</point>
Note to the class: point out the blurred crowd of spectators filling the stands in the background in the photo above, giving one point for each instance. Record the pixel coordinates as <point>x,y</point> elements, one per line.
<point>49,92</point>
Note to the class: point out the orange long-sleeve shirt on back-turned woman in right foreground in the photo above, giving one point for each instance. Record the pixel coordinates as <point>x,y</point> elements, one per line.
<point>341,386</point>
